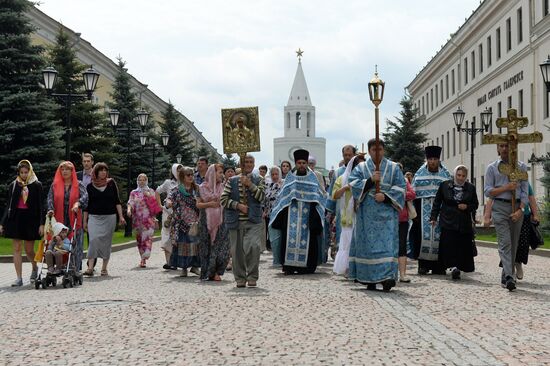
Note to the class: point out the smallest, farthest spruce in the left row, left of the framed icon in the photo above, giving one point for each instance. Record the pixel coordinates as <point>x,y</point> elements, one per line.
<point>180,141</point>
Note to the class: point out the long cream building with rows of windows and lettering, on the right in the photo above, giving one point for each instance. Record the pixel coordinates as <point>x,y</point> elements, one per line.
<point>492,61</point>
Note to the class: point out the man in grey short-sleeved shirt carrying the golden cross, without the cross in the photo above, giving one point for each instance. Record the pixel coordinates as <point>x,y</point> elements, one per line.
<point>507,223</point>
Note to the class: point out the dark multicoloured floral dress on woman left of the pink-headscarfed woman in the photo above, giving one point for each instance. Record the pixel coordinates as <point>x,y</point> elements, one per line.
<point>186,246</point>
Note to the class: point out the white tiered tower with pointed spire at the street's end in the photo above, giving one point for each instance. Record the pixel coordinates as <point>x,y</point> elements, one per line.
<point>299,125</point>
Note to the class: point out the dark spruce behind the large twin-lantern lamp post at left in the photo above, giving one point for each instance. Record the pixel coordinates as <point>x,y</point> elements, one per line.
<point>91,131</point>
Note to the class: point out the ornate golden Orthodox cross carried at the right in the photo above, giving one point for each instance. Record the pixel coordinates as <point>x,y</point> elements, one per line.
<point>512,138</point>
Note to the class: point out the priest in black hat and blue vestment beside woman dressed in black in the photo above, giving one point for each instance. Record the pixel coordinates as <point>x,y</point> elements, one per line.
<point>425,237</point>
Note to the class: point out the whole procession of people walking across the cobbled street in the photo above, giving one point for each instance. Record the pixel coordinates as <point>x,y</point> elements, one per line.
<point>368,214</point>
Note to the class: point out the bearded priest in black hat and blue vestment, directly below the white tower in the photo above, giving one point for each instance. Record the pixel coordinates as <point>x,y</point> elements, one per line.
<point>298,214</point>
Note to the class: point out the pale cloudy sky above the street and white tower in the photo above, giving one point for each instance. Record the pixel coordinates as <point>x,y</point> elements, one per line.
<point>208,55</point>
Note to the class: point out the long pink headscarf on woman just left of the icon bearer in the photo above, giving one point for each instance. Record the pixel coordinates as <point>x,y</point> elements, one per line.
<point>211,190</point>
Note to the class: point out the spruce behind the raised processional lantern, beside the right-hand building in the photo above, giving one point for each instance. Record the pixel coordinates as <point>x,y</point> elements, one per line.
<point>403,141</point>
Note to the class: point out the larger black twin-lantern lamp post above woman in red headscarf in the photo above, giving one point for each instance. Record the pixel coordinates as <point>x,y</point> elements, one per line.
<point>90,78</point>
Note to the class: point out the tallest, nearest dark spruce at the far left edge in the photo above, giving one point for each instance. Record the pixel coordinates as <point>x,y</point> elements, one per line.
<point>28,129</point>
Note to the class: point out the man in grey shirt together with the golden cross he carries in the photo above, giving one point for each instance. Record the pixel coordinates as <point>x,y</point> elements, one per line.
<point>506,183</point>
